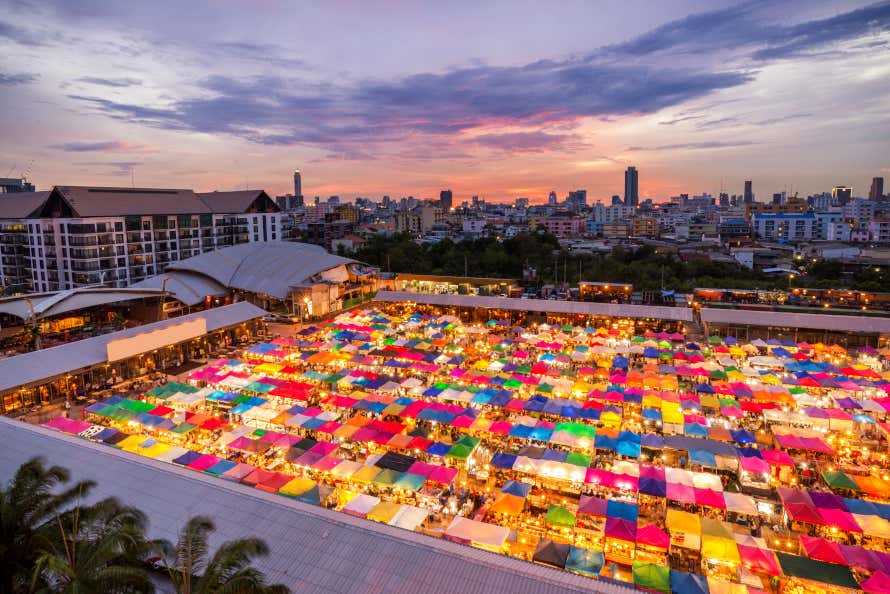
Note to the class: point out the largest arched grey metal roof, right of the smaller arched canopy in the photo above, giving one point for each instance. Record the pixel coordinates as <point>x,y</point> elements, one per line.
<point>262,267</point>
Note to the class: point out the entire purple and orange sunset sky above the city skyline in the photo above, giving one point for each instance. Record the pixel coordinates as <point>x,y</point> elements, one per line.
<point>501,99</point>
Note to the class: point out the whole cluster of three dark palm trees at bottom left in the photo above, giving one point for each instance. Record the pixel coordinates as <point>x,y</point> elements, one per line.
<point>53,542</point>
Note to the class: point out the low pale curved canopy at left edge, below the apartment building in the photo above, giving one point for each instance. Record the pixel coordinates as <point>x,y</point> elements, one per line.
<point>45,305</point>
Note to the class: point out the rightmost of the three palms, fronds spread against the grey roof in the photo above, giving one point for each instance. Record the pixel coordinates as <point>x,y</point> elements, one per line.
<point>192,569</point>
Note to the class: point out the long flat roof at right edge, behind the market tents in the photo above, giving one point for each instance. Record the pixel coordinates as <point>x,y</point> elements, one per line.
<point>785,319</point>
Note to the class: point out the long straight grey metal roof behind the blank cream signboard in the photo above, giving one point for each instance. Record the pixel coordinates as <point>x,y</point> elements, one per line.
<point>36,367</point>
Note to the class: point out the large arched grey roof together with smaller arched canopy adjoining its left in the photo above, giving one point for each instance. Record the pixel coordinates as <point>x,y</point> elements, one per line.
<point>266,268</point>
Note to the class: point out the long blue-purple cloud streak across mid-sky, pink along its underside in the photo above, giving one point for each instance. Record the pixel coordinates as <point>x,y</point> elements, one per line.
<point>275,110</point>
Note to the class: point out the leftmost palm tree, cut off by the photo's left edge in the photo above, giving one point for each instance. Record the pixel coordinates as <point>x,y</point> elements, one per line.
<point>29,504</point>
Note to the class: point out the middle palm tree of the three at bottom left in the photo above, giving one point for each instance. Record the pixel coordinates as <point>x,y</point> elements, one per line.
<point>97,548</point>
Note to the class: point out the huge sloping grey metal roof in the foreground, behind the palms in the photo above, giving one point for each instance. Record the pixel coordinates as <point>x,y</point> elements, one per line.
<point>312,549</point>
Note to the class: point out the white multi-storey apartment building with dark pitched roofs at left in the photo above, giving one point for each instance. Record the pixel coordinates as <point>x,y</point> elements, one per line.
<point>76,236</point>
